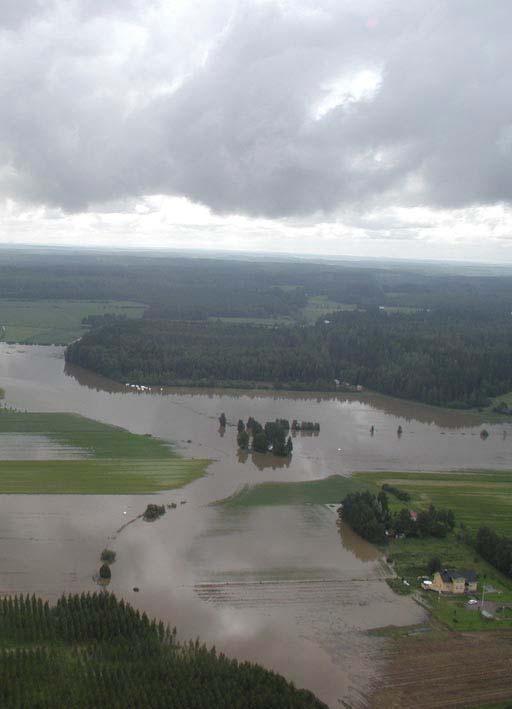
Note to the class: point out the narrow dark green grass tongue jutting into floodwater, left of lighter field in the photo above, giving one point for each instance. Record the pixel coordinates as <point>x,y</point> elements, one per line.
<point>318,492</point>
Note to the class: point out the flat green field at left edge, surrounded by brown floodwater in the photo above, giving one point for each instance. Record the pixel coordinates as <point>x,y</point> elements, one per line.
<point>117,462</point>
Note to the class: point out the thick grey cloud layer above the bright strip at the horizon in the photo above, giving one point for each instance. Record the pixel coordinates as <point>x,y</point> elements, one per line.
<point>216,101</point>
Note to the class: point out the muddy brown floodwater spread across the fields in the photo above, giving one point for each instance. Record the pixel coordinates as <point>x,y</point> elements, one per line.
<point>271,584</point>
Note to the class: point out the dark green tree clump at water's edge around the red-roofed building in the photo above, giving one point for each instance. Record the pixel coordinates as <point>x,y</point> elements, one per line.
<point>369,515</point>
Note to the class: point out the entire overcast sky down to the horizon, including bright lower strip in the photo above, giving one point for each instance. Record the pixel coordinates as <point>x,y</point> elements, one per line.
<point>329,127</point>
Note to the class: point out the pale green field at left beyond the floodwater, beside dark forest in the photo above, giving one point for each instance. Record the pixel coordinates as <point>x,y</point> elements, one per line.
<point>57,322</point>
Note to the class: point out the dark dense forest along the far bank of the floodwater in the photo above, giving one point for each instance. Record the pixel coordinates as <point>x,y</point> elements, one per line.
<point>436,357</point>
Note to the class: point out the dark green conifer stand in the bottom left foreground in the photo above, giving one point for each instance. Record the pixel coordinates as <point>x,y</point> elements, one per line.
<point>96,651</point>
